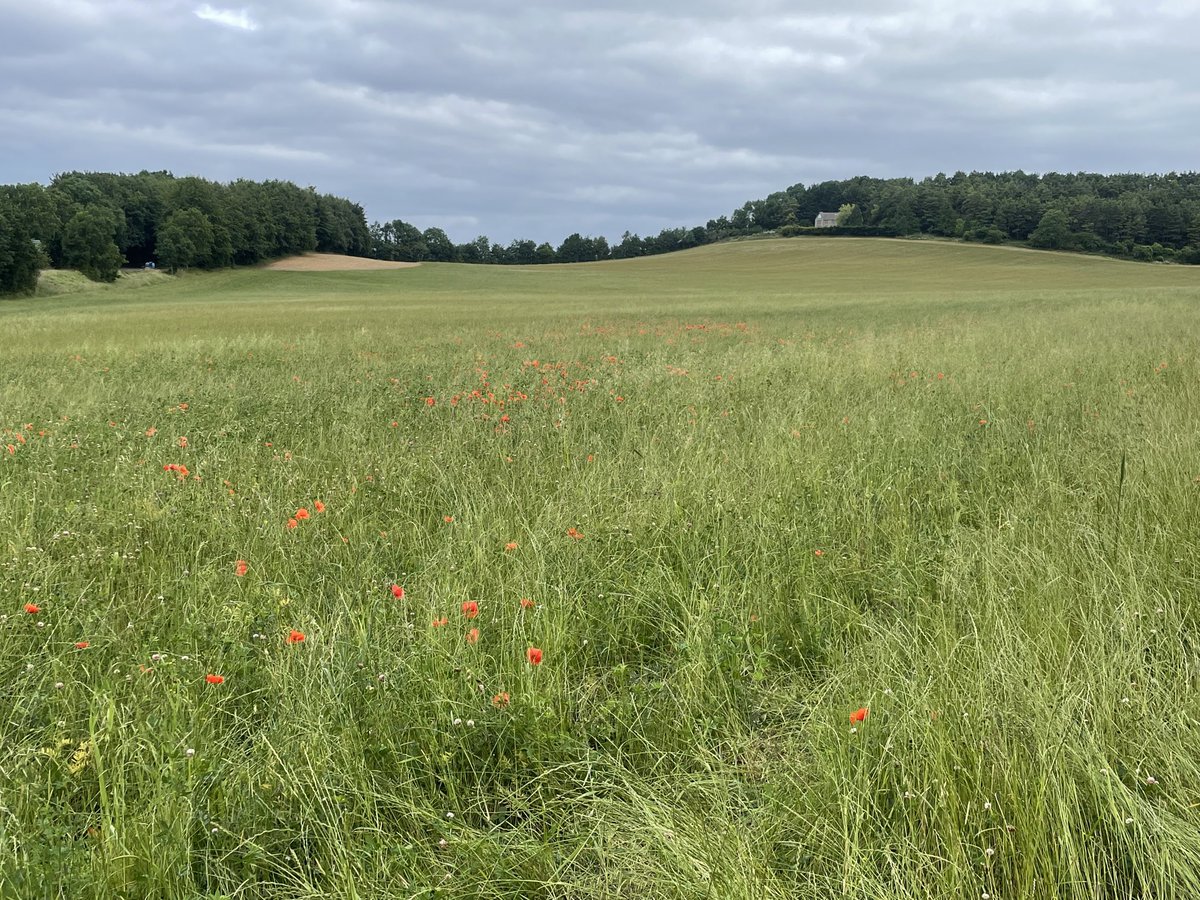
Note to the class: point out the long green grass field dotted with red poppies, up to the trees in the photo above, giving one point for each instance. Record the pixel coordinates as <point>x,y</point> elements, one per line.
<point>745,493</point>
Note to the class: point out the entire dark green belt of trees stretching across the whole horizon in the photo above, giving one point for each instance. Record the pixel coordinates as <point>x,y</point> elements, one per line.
<point>100,223</point>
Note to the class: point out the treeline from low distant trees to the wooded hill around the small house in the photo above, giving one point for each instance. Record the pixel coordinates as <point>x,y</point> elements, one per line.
<point>1149,218</point>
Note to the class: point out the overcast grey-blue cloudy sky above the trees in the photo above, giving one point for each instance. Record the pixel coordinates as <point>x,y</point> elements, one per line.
<point>543,118</point>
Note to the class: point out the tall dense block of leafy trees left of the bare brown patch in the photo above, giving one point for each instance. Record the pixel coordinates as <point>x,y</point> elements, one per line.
<point>98,223</point>
